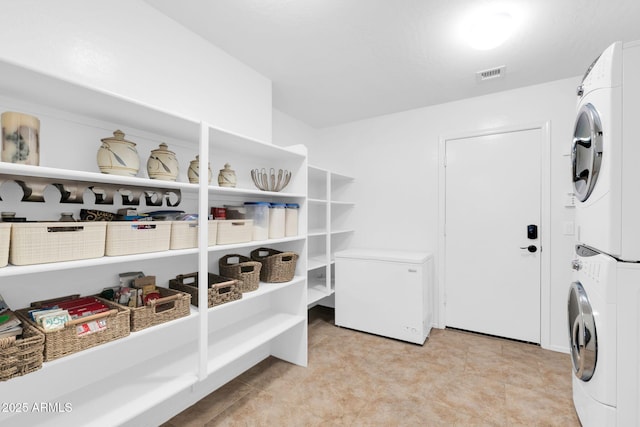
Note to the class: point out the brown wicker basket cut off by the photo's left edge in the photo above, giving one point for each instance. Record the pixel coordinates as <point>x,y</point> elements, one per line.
<point>19,356</point>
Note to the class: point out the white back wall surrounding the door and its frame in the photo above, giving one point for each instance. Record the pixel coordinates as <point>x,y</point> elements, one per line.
<point>394,159</point>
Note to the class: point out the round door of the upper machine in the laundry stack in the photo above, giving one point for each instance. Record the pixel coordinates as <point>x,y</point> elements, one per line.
<point>586,153</point>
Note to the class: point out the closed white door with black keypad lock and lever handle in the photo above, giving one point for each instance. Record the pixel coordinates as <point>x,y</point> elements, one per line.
<point>492,263</point>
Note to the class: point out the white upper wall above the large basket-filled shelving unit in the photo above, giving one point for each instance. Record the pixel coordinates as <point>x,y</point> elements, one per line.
<point>129,48</point>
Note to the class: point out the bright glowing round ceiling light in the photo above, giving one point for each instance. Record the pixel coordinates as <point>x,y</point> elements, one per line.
<point>487,30</point>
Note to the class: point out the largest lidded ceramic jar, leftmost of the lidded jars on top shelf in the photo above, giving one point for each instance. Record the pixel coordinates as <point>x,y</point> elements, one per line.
<point>117,156</point>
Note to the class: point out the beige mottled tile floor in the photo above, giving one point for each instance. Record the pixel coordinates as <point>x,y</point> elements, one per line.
<point>358,379</point>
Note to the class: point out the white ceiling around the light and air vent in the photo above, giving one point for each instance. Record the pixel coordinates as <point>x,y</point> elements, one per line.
<point>336,61</point>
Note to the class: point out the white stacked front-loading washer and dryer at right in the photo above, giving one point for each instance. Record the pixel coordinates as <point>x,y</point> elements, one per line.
<point>604,299</point>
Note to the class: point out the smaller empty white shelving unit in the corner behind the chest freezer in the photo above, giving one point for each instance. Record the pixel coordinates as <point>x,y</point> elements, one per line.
<point>329,229</point>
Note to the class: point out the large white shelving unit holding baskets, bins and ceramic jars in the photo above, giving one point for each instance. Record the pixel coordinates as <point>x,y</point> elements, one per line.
<point>149,376</point>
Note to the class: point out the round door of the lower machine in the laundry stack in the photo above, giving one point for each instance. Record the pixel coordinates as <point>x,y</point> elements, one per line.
<point>582,333</point>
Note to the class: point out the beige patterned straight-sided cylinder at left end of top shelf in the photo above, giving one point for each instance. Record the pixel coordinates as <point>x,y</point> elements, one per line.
<point>20,138</point>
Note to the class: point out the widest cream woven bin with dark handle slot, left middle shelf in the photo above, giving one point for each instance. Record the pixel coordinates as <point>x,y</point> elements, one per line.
<point>42,242</point>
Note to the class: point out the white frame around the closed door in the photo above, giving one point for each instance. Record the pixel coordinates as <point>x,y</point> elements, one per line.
<point>545,218</point>
